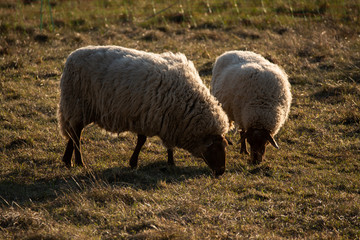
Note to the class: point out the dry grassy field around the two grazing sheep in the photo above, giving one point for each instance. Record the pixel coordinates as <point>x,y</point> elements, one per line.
<point>308,189</point>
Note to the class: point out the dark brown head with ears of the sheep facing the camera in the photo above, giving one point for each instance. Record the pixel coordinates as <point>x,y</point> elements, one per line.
<point>258,140</point>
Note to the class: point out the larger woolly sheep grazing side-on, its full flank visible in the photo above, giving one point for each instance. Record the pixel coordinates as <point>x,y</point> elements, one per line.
<point>121,89</point>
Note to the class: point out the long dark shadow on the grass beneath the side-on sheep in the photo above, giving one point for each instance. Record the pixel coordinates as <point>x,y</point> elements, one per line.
<point>145,177</point>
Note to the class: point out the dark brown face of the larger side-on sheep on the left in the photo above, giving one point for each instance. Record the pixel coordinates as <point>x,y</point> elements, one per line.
<point>214,154</point>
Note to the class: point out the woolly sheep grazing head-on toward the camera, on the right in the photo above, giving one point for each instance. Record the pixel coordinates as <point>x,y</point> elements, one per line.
<point>255,94</point>
